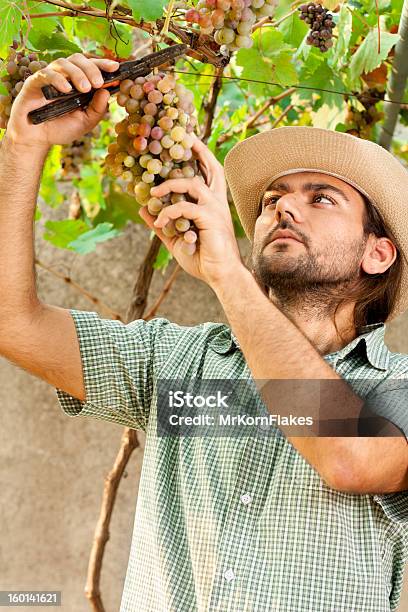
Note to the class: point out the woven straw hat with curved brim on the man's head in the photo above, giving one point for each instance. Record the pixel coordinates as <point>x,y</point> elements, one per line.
<point>252,164</point>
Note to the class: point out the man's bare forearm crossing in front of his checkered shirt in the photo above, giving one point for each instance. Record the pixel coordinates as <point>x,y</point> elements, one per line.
<point>277,351</point>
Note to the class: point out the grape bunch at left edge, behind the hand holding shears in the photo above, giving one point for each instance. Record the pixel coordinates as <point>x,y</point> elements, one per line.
<point>19,66</point>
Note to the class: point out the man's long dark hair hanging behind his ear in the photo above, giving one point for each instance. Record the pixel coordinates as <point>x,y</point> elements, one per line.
<point>375,294</point>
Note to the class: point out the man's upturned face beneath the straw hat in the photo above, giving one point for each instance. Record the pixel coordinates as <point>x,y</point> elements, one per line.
<point>326,214</point>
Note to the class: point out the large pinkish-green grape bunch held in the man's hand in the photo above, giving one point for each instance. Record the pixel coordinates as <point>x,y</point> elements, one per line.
<point>154,143</point>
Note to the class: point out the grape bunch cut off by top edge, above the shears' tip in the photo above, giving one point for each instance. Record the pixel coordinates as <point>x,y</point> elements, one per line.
<point>232,20</point>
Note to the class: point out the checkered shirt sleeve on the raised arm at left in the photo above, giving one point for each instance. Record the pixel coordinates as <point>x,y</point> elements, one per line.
<point>119,362</point>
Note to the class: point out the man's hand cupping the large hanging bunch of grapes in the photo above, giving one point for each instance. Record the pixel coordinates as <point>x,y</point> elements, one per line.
<point>217,251</point>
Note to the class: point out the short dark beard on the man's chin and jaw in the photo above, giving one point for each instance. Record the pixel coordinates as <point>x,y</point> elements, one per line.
<point>302,281</point>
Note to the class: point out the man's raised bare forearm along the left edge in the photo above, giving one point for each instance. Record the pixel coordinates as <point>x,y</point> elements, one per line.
<point>20,173</point>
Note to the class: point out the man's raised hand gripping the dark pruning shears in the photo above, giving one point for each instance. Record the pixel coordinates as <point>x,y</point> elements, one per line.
<point>84,73</point>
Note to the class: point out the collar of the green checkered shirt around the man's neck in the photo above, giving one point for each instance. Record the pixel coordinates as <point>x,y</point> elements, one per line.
<point>372,336</point>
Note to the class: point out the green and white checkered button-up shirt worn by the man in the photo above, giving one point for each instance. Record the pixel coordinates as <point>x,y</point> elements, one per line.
<point>239,524</point>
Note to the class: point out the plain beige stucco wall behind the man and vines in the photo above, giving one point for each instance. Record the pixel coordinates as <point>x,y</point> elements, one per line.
<point>52,468</point>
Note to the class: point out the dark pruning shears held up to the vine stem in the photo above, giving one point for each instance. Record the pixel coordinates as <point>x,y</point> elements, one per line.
<point>64,103</point>
